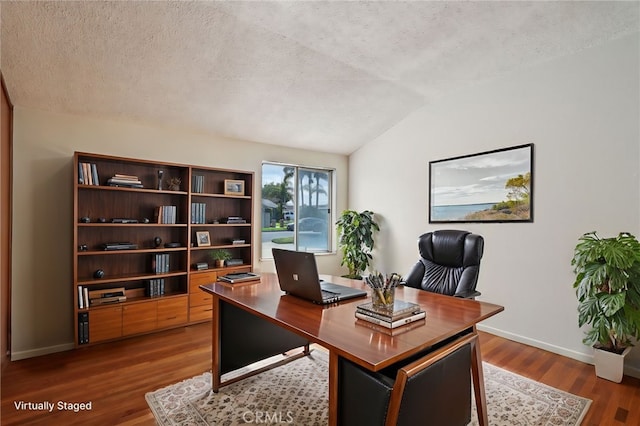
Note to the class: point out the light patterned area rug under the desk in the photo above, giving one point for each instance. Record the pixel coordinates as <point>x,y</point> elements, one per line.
<point>296,393</point>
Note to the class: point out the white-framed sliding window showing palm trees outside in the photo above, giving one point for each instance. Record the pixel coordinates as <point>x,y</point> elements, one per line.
<point>296,208</point>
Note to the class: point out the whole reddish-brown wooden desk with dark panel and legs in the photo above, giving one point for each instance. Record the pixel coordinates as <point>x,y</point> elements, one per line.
<point>238,310</point>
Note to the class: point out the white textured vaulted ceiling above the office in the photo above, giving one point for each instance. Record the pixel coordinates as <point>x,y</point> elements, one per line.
<point>327,76</point>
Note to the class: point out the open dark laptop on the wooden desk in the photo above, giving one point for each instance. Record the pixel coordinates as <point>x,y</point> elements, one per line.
<point>298,276</point>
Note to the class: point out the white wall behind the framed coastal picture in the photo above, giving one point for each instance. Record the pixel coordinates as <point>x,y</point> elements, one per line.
<point>582,113</point>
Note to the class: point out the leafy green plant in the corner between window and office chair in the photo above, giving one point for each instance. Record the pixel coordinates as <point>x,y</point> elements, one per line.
<point>355,232</point>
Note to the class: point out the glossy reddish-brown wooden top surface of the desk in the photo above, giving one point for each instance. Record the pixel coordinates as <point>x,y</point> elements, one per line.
<point>336,328</point>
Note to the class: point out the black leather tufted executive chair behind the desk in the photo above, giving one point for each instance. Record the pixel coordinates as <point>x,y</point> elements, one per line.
<point>449,263</point>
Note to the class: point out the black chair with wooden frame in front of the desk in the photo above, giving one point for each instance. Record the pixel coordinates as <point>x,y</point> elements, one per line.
<point>434,389</point>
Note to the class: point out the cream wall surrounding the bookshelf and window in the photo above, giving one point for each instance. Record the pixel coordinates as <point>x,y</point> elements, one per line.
<point>43,145</point>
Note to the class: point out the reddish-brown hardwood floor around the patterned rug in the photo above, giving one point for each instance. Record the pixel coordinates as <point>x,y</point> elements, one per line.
<point>114,378</point>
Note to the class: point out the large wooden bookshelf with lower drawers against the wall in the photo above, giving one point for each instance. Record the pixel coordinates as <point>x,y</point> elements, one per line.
<point>138,211</point>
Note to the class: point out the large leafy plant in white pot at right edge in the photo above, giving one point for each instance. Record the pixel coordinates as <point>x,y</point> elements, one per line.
<point>608,289</point>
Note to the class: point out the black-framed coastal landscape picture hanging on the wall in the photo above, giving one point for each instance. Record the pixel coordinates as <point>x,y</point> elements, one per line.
<point>492,186</point>
